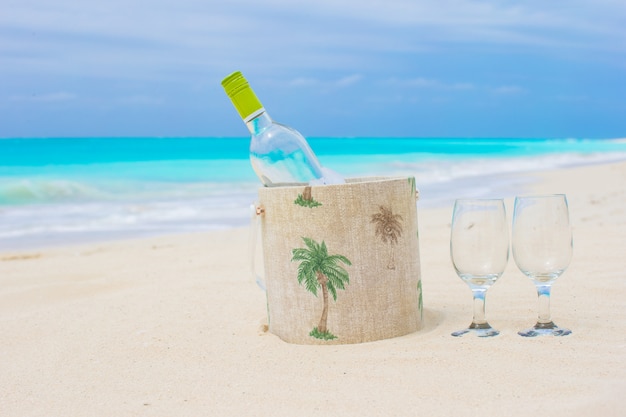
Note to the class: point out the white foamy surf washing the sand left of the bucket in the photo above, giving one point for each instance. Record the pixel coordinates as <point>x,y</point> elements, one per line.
<point>174,210</point>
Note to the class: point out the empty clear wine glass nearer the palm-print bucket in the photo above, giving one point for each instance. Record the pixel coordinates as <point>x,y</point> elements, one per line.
<point>479,248</point>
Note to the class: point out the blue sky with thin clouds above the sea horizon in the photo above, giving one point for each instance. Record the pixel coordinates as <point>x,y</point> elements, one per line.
<point>449,68</point>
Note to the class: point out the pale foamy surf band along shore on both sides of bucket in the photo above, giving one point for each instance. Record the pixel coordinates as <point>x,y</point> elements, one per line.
<point>37,211</point>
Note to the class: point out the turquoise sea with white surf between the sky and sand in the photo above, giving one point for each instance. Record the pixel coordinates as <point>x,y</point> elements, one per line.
<point>66,190</point>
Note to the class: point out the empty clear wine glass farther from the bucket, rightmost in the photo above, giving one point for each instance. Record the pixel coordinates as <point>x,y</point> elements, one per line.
<point>542,248</point>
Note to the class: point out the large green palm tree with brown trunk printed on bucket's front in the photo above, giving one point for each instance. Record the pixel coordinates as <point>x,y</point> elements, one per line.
<point>319,270</point>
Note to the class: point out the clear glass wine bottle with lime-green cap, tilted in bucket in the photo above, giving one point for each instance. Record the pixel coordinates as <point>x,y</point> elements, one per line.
<point>279,154</point>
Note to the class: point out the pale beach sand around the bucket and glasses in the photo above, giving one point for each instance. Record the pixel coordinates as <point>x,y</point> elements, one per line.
<point>174,326</point>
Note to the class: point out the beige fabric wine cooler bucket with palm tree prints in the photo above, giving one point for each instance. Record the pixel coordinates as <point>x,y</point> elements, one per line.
<point>341,262</point>
